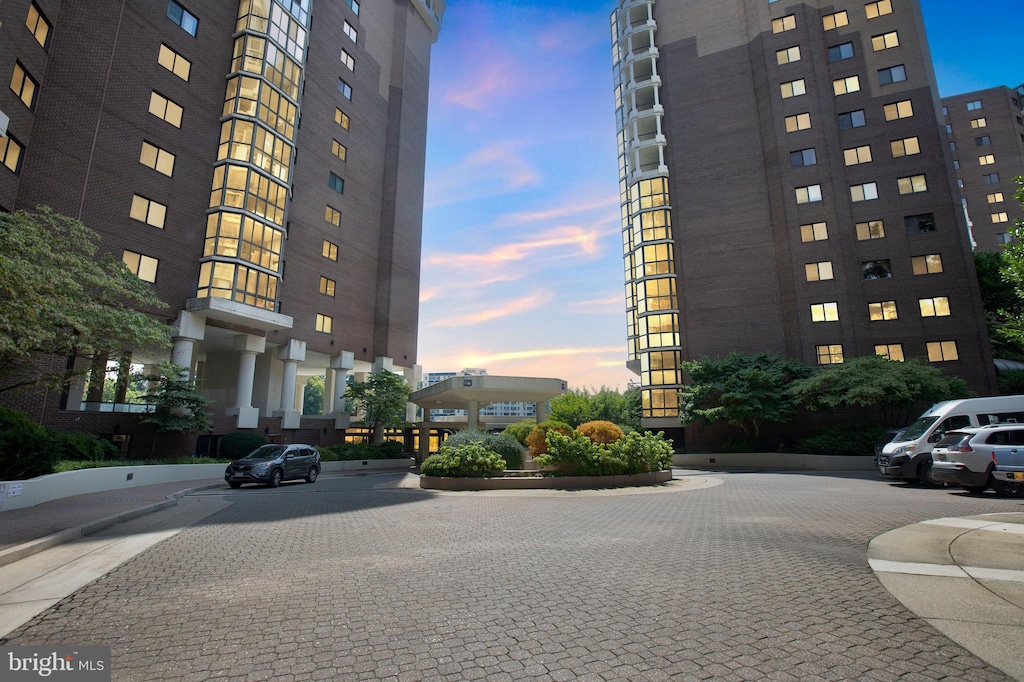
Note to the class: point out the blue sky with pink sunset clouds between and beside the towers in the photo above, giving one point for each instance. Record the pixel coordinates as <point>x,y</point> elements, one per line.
<point>523,268</point>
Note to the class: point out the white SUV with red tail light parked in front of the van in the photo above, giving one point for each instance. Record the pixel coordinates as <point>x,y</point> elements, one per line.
<point>964,457</point>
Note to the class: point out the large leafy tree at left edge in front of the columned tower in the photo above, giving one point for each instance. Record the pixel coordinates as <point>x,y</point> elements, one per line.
<point>57,297</point>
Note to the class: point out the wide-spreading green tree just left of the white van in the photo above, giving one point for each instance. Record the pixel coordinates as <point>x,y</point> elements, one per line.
<point>872,381</point>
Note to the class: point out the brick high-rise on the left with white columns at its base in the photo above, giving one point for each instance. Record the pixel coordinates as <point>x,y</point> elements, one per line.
<point>260,162</point>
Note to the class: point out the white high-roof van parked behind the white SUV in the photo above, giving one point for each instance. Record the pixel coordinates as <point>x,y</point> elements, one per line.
<point>911,457</point>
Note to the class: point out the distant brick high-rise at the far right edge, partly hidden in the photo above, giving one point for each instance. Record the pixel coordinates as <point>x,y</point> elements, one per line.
<point>987,138</point>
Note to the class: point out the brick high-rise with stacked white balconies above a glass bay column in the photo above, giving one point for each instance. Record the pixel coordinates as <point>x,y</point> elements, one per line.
<point>785,188</point>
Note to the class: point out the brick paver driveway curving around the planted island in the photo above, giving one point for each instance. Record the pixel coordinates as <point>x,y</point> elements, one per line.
<point>762,578</point>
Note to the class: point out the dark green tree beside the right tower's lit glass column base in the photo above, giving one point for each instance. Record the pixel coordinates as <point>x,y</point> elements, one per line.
<point>742,391</point>
